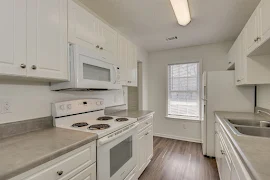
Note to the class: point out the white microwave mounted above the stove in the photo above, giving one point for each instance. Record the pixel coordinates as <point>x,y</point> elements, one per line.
<point>92,72</point>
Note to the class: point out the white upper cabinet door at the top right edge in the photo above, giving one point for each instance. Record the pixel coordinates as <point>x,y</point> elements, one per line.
<point>264,22</point>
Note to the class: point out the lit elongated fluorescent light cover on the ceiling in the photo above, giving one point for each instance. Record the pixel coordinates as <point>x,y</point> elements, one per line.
<point>181,10</point>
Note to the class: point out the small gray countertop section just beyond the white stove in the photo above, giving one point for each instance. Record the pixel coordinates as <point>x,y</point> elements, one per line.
<point>132,113</point>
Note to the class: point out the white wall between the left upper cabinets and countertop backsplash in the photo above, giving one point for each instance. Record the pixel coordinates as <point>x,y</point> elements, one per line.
<point>33,100</point>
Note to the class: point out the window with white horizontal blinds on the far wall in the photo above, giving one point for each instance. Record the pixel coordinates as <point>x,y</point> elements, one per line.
<point>183,91</point>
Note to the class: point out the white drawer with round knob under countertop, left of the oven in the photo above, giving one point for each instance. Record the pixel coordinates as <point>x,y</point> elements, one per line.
<point>68,166</point>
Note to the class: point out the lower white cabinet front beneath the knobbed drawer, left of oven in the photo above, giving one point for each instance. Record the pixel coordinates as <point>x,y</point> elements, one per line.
<point>87,174</point>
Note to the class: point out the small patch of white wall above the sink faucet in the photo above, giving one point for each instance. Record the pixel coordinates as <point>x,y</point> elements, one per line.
<point>263,96</point>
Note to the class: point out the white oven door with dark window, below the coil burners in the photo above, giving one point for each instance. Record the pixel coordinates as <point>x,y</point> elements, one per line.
<point>117,158</point>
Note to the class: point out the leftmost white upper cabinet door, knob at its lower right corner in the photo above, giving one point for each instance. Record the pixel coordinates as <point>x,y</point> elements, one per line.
<point>13,37</point>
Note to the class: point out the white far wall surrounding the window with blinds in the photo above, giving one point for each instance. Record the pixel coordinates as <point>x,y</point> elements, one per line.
<point>213,56</point>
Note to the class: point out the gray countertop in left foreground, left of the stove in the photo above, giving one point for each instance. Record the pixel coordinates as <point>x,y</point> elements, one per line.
<point>21,153</point>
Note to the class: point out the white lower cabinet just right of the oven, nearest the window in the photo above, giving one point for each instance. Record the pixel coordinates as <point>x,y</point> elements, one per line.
<point>145,144</point>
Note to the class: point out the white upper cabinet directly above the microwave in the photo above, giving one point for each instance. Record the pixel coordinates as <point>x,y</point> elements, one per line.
<point>88,31</point>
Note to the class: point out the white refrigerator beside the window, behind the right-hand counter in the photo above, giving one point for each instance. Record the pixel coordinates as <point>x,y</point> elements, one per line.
<point>219,93</point>
